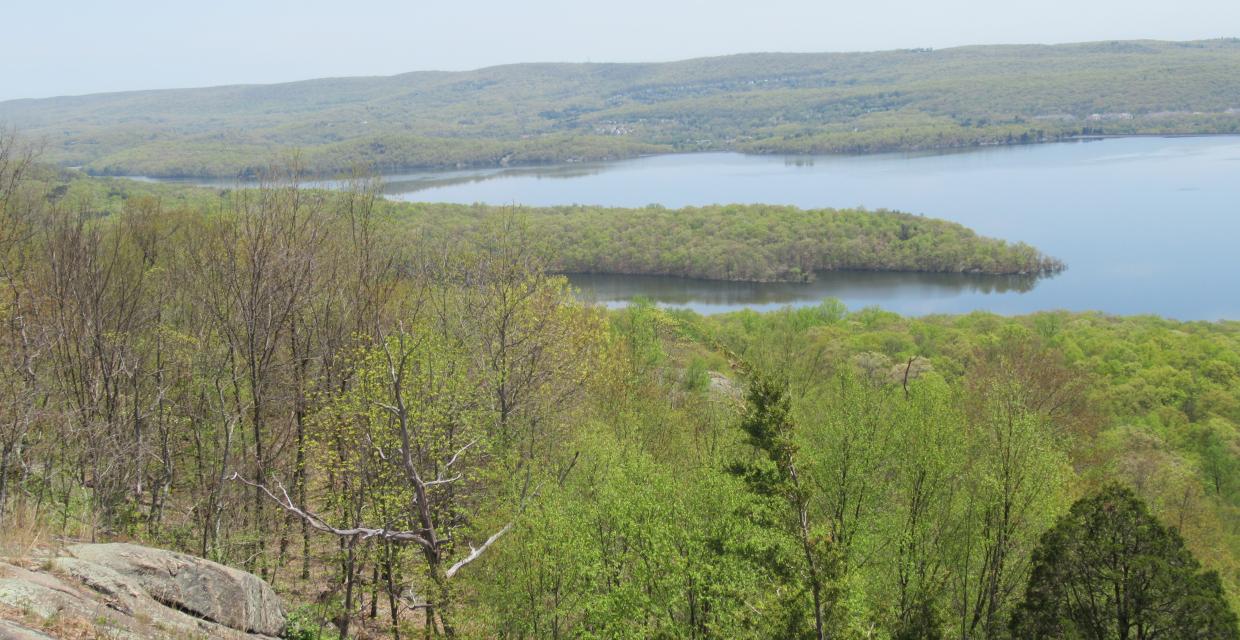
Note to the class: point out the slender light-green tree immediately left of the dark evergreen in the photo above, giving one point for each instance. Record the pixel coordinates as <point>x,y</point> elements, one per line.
<point>1017,411</point>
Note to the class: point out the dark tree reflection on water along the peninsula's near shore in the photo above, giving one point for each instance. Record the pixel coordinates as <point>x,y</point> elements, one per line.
<point>882,286</point>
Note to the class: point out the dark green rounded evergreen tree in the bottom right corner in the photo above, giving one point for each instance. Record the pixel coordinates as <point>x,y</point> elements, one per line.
<point>1109,570</point>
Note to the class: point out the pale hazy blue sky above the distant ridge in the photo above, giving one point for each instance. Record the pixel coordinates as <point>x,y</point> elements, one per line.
<point>55,48</point>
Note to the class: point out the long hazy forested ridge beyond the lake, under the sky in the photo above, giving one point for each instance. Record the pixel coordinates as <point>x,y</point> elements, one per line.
<point>758,104</point>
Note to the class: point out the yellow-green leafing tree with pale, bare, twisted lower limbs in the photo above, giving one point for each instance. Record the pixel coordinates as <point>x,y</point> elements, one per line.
<point>418,432</point>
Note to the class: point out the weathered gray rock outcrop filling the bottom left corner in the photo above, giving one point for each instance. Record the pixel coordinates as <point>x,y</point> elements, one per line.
<point>138,593</point>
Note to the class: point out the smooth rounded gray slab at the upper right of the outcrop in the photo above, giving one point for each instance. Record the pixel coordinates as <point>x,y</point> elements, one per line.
<point>198,587</point>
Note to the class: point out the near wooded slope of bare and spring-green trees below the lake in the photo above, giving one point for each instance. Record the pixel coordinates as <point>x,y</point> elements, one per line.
<point>414,440</point>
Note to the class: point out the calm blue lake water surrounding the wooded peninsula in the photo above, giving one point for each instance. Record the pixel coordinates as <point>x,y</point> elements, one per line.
<point>1146,225</point>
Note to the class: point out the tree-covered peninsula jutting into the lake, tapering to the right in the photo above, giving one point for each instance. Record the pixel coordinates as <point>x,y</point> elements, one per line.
<point>733,242</point>
